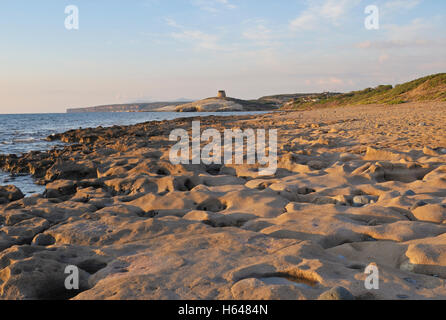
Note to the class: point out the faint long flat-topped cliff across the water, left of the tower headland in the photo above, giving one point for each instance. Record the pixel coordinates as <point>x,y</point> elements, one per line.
<point>131,107</point>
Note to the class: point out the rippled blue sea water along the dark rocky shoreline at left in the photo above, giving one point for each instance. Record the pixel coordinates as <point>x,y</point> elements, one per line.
<point>27,132</point>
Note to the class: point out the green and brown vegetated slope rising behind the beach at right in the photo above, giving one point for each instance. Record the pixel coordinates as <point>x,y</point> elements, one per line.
<point>430,88</point>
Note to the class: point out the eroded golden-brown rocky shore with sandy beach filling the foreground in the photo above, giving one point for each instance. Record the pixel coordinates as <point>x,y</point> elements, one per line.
<point>355,186</point>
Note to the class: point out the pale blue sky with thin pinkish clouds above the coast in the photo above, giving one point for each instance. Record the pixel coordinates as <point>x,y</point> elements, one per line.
<point>158,50</point>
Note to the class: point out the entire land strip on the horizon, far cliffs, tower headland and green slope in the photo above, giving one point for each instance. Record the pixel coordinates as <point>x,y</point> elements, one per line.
<point>429,88</point>
